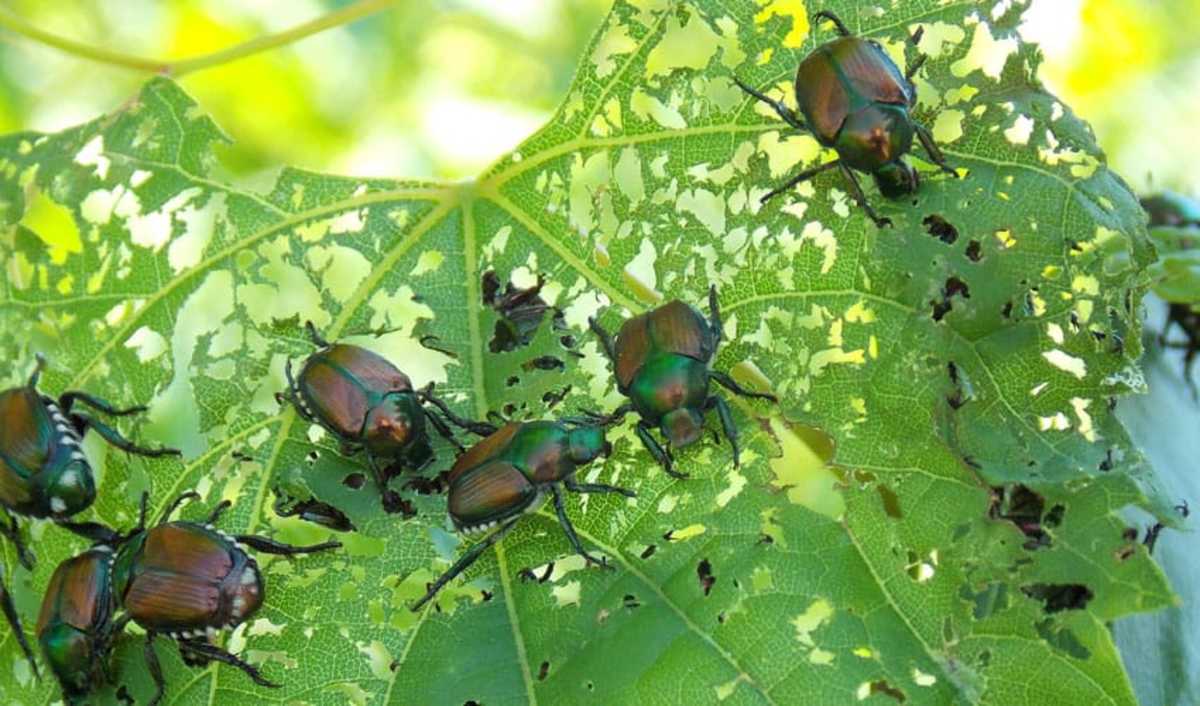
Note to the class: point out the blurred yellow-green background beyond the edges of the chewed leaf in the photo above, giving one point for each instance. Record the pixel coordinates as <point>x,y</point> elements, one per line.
<point>441,88</point>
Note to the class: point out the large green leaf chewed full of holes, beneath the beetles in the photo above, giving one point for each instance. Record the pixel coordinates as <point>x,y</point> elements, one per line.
<point>964,546</point>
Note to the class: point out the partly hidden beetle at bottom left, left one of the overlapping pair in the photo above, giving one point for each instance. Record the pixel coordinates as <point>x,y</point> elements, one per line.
<point>76,627</point>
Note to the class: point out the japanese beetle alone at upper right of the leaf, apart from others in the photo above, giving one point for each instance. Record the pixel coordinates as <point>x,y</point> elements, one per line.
<point>855,100</point>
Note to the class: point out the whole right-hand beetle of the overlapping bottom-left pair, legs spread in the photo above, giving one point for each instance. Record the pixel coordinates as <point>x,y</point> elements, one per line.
<point>188,581</point>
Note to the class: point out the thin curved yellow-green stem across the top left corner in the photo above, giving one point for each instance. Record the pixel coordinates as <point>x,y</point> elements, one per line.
<point>345,16</point>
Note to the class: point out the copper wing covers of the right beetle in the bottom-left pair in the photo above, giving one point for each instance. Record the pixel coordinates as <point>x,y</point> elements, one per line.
<point>179,578</point>
